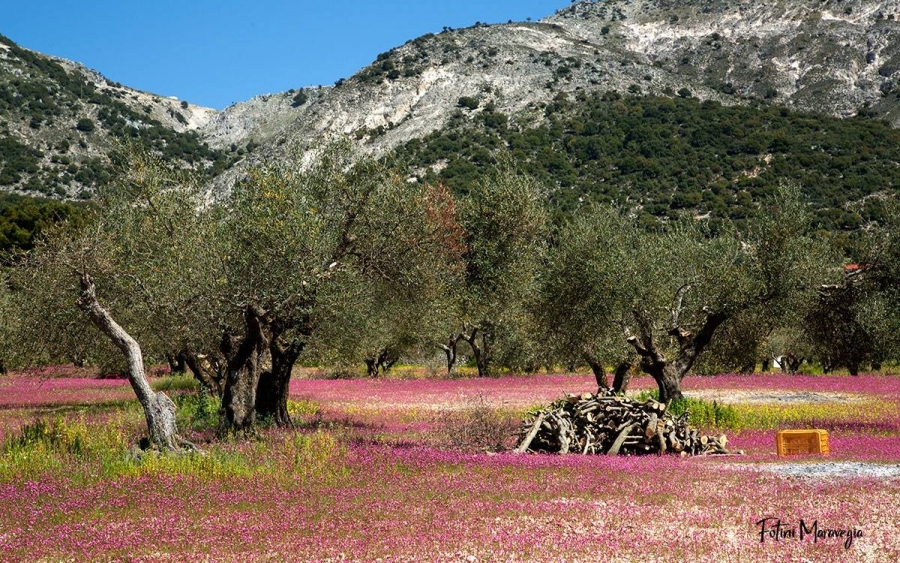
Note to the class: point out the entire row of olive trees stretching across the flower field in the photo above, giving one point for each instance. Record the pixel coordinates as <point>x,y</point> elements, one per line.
<point>339,259</point>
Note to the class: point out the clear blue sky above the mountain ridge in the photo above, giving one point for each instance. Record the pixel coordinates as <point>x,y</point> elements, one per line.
<point>216,53</point>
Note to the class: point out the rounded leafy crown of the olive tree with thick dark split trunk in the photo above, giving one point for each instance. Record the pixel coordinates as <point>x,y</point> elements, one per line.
<point>345,254</point>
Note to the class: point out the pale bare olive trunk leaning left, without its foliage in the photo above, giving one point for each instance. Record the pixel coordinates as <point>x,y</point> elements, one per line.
<point>159,410</point>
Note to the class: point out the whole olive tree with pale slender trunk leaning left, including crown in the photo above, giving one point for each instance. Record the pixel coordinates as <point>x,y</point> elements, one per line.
<point>133,270</point>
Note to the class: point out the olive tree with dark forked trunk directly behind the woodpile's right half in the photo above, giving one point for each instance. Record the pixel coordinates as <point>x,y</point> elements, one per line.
<point>692,284</point>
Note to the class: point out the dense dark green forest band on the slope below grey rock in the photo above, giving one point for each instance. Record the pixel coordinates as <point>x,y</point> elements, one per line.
<point>671,154</point>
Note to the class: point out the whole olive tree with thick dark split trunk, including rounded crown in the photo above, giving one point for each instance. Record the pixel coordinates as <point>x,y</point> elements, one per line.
<point>292,239</point>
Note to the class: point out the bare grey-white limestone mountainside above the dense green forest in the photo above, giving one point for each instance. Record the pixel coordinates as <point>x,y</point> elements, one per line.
<point>831,56</point>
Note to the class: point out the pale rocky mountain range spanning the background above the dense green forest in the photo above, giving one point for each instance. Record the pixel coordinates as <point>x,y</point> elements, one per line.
<point>837,57</point>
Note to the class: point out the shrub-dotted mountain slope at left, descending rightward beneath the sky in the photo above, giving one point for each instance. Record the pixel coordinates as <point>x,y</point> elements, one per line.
<point>59,121</point>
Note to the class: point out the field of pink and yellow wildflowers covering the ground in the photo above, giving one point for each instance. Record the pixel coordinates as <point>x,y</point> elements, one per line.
<point>369,475</point>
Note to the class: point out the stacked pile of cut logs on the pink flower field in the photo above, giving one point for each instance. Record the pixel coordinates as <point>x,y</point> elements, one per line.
<point>613,425</point>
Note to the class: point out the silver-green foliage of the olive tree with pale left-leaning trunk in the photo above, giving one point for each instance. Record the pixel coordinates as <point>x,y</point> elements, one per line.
<point>145,245</point>
